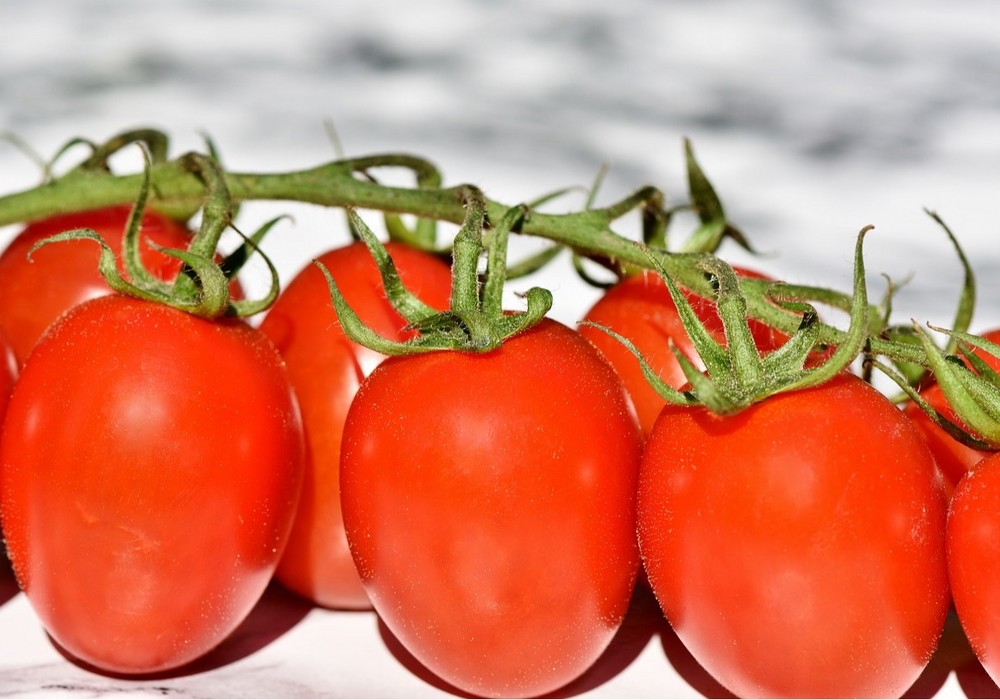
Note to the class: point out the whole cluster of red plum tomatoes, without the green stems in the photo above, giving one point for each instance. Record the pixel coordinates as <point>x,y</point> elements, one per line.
<point>495,509</point>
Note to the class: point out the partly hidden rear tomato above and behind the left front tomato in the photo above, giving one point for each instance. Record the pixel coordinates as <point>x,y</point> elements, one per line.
<point>34,293</point>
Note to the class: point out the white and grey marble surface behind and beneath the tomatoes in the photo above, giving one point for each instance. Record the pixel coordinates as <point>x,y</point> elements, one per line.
<point>813,119</point>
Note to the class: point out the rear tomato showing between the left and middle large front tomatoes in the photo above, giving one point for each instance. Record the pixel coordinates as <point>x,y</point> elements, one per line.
<point>326,368</point>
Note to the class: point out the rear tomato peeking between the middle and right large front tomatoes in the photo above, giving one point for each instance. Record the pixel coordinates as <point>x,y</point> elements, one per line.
<point>641,309</point>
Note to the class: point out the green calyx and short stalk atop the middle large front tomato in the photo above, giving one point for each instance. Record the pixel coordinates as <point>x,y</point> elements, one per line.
<point>476,321</point>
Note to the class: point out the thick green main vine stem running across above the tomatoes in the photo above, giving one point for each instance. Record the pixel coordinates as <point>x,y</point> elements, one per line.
<point>177,191</point>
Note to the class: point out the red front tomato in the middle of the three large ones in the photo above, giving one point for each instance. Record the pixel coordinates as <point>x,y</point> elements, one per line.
<point>489,505</point>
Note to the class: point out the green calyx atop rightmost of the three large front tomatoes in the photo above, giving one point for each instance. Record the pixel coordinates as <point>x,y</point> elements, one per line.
<point>737,374</point>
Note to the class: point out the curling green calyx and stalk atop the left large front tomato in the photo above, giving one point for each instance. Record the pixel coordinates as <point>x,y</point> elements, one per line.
<point>202,288</point>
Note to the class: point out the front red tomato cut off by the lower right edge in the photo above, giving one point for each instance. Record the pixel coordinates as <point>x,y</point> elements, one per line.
<point>974,559</point>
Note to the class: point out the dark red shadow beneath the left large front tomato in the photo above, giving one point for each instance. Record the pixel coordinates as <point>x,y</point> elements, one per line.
<point>277,612</point>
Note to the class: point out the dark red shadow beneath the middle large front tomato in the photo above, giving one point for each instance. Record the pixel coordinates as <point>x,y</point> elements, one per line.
<point>641,623</point>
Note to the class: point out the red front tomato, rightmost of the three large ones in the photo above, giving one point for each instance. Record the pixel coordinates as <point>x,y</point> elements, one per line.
<point>797,547</point>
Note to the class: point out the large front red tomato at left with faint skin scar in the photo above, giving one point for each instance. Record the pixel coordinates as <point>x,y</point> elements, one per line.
<point>150,464</point>
